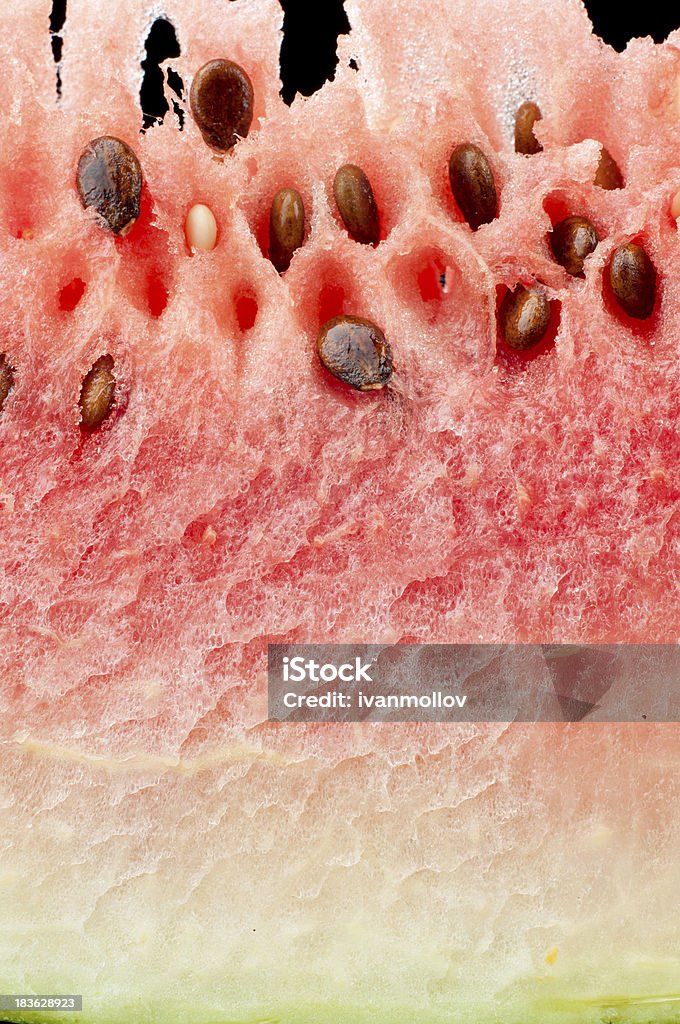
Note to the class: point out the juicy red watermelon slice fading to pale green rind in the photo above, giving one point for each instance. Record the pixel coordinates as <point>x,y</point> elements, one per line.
<point>184,483</point>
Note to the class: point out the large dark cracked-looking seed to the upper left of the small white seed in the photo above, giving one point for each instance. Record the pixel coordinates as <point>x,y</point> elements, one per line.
<point>109,181</point>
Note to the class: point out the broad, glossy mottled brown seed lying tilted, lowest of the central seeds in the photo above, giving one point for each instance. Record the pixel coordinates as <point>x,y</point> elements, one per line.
<point>356,352</point>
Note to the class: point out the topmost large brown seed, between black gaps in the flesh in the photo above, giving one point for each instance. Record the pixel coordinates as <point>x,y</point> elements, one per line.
<point>222,101</point>
